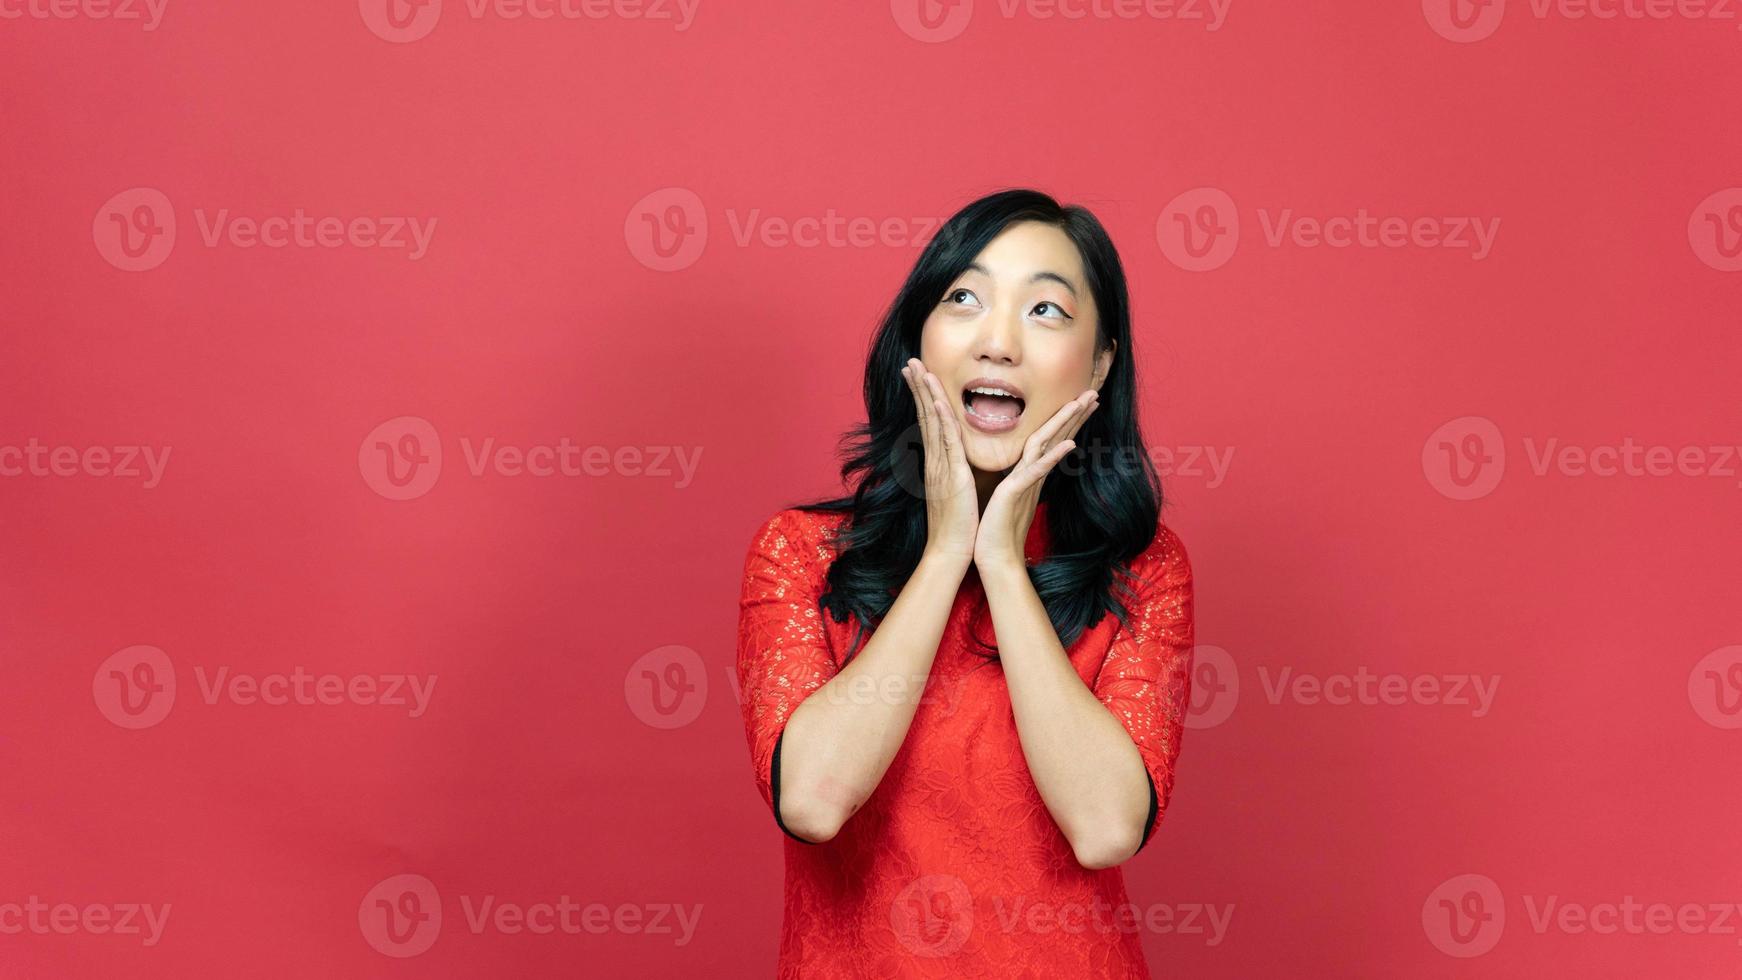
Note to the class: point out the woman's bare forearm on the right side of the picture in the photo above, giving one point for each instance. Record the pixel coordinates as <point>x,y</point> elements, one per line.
<point>1083,760</point>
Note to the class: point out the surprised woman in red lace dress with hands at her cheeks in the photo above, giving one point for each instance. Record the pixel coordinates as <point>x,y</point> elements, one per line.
<point>964,685</point>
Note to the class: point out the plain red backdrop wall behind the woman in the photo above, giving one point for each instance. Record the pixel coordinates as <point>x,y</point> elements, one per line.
<point>1325,549</point>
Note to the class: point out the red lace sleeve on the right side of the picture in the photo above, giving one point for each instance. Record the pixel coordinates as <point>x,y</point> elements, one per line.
<point>1145,680</point>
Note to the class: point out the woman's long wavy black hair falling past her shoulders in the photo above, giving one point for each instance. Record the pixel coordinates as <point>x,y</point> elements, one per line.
<point>1104,500</point>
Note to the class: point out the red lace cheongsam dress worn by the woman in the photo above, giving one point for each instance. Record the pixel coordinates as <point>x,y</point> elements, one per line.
<point>954,868</point>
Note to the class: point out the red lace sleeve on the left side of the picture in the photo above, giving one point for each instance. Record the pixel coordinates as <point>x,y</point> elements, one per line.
<point>783,647</point>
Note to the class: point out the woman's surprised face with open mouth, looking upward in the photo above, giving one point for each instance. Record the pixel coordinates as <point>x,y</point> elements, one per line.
<point>1018,319</point>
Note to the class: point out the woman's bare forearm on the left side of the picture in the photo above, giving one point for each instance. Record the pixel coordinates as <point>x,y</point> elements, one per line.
<point>842,739</point>
